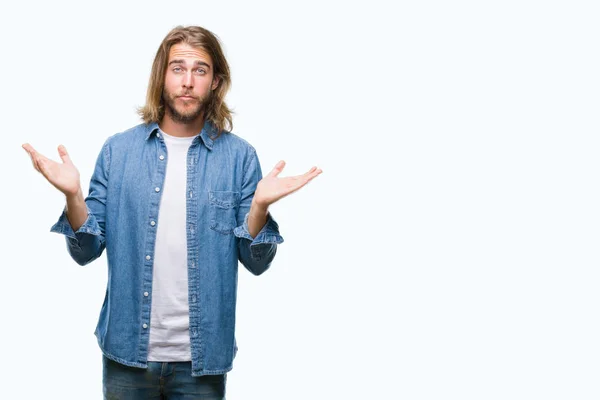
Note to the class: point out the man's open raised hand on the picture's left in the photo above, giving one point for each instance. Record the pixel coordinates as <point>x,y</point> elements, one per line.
<point>63,176</point>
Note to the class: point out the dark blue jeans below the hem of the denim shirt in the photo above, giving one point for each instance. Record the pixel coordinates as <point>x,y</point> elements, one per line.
<point>161,381</point>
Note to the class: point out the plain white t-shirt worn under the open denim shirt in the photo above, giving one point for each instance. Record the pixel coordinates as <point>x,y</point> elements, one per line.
<point>169,323</point>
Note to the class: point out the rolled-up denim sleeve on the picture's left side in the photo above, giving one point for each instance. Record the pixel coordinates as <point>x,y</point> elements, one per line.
<point>88,242</point>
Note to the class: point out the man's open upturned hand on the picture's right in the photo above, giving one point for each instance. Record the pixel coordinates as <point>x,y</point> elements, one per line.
<point>271,188</point>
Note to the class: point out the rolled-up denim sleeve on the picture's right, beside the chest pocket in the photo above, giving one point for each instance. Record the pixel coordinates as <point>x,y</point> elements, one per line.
<point>256,254</point>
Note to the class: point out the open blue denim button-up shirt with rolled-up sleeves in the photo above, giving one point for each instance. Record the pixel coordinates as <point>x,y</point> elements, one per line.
<point>123,206</point>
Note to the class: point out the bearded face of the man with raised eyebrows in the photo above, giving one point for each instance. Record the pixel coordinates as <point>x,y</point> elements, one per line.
<point>188,82</point>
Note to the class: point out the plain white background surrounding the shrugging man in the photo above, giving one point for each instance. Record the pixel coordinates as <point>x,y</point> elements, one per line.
<point>449,250</point>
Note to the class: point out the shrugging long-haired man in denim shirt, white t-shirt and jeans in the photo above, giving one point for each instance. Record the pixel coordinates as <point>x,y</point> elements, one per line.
<point>176,202</point>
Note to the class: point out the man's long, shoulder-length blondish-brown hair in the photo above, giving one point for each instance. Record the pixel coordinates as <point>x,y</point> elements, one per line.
<point>216,110</point>
